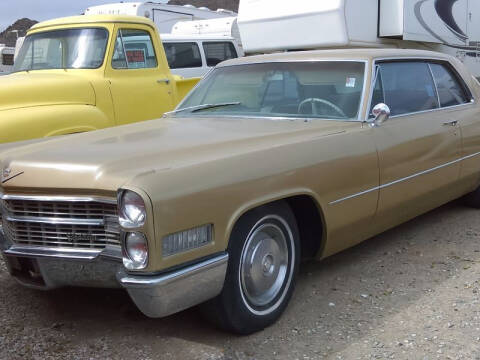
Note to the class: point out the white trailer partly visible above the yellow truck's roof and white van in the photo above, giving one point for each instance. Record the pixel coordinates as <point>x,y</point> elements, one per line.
<point>165,16</point>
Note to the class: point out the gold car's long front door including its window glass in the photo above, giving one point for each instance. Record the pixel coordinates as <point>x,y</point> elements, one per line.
<point>418,147</point>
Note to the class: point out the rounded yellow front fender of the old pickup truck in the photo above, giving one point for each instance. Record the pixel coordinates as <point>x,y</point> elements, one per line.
<point>53,120</point>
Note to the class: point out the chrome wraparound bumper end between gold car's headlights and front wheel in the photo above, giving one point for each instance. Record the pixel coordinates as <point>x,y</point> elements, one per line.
<point>163,295</point>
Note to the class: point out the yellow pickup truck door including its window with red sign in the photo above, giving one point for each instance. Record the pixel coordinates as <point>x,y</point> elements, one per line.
<point>140,81</point>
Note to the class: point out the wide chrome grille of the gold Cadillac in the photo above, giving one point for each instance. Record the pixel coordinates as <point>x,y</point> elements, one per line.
<point>79,223</point>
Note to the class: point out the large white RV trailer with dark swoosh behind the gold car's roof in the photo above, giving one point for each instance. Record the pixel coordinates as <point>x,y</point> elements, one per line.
<point>448,26</point>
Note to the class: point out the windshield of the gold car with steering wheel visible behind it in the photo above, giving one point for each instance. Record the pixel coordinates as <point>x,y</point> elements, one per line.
<point>322,89</point>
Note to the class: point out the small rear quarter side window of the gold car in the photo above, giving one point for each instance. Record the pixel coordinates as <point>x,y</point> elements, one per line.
<point>449,89</point>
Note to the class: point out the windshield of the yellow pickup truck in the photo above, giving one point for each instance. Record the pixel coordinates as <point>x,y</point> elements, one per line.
<point>63,49</point>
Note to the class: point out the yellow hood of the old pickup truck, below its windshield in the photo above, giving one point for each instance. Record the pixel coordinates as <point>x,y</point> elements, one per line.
<point>43,88</point>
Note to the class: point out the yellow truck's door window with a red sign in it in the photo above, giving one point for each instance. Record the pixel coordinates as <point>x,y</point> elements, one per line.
<point>134,50</point>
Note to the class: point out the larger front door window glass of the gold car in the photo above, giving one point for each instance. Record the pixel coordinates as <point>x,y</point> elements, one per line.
<point>408,87</point>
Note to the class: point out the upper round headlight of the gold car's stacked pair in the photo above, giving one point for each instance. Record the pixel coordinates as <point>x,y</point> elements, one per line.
<point>132,210</point>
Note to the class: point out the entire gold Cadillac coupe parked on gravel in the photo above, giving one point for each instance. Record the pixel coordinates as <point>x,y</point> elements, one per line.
<point>270,160</point>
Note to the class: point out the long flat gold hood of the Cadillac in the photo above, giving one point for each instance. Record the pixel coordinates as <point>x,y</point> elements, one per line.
<point>107,159</point>
